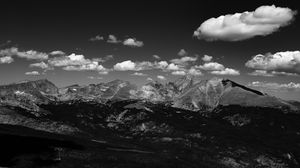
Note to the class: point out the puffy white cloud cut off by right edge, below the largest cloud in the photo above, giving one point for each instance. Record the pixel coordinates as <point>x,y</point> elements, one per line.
<point>280,62</point>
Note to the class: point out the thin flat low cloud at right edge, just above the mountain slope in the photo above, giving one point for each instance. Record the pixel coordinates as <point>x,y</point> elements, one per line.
<point>276,86</point>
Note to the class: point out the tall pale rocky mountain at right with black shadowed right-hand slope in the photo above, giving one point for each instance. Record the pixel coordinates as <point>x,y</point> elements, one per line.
<point>216,91</point>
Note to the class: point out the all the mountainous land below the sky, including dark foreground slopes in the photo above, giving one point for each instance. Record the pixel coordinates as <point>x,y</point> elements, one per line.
<point>186,123</point>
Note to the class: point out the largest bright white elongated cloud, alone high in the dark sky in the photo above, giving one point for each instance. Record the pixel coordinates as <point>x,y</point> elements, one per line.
<point>240,26</point>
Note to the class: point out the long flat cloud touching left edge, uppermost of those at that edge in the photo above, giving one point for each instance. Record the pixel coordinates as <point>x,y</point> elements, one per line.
<point>30,54</point>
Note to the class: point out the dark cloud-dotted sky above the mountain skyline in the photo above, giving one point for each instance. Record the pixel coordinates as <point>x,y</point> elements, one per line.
<point>254,43</point>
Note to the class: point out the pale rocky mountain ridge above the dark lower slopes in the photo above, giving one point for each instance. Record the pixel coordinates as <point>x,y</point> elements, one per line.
<point>187,92</point>
